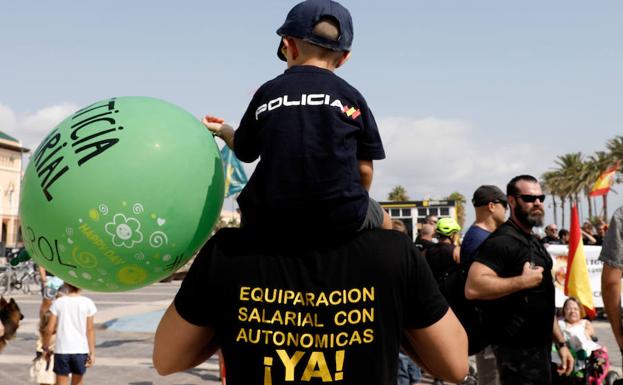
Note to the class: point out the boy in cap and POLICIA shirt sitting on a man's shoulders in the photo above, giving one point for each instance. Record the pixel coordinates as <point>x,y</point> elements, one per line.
<point>313,132</point>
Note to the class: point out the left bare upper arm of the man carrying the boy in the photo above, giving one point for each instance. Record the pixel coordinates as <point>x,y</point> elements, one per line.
<point>180,345</point>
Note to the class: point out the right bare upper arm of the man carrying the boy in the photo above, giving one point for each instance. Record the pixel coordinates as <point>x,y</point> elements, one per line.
<point>441,348</point>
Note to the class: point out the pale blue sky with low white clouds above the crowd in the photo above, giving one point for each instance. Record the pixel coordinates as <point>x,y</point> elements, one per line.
<point>464,92</point>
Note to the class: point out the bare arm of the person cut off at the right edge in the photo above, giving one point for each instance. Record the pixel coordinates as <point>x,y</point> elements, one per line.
<point>611,293</point>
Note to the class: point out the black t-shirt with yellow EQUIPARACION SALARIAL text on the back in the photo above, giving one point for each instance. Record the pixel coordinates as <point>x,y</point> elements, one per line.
<point>332,313</point>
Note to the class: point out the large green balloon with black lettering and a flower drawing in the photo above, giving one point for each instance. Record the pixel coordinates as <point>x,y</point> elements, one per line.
<point>121,194</point>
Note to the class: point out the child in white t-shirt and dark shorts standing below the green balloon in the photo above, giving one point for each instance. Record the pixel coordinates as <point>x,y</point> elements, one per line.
<point>72,318</point>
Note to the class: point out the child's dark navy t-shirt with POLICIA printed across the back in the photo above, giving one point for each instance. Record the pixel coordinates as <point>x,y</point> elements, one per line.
<point>309,128</point>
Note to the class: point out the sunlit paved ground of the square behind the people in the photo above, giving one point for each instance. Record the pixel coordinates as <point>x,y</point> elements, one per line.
<point>126,325</point>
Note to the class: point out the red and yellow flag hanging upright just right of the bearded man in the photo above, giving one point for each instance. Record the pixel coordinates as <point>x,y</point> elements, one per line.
<point>577,283</point>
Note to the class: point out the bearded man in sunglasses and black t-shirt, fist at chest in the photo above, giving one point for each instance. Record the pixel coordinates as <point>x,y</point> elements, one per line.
<point>512,272</point>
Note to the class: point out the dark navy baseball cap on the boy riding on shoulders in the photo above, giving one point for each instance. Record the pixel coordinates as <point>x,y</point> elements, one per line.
<point>302,19</point>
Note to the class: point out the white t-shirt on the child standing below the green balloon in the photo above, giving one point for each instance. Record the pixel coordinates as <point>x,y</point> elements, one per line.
<point>71,330</point>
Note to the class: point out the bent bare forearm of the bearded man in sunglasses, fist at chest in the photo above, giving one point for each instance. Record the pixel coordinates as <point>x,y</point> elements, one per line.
<point>484,283</point>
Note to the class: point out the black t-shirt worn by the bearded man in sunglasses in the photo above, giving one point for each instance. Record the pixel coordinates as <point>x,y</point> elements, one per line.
<point>524,318</point>
